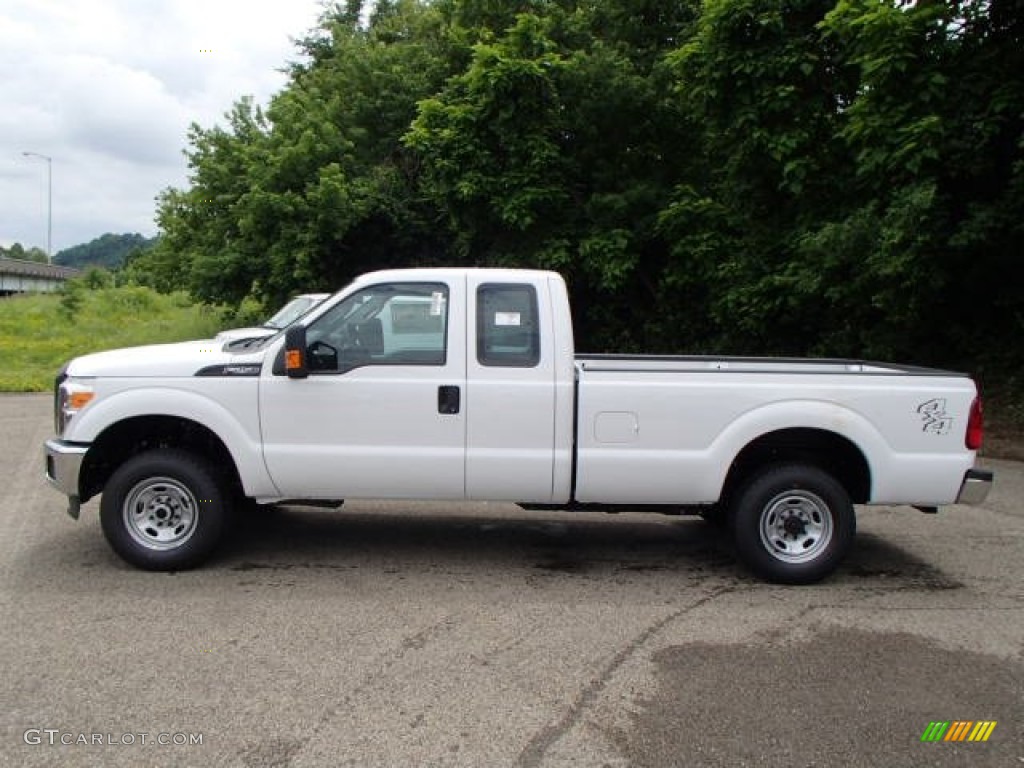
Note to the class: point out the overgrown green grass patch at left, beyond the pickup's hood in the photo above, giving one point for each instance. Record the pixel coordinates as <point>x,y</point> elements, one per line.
<point>39,333</point>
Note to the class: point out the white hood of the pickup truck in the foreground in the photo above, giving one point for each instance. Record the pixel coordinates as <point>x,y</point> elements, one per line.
<point>185,359</point>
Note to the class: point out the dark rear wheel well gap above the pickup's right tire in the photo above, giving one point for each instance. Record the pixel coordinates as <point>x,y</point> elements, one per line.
<point>828,451</point>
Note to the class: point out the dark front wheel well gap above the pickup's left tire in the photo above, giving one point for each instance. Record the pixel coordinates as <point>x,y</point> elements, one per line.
<point>126,439</point>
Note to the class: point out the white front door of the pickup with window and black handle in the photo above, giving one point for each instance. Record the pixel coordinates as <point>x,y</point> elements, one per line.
<point>382,413</point>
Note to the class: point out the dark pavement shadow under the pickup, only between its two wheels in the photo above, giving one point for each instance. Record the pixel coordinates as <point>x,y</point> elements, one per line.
<point>556,543</point>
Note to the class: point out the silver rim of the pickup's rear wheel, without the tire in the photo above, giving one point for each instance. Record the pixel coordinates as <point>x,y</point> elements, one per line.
<point>796,527</point>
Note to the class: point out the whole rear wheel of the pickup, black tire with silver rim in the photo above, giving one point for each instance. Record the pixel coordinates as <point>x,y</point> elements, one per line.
<point>793,524</point>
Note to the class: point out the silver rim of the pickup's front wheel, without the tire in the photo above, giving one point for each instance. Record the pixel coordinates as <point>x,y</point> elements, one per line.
<point>160,514</point>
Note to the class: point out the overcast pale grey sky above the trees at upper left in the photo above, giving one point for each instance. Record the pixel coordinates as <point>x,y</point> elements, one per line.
<point>108,89</point>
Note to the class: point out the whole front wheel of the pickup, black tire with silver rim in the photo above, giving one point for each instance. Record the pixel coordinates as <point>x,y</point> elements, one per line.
<point>165,510</point>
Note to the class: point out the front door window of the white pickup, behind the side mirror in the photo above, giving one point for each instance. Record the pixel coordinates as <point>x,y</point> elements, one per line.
<point>394,324</point>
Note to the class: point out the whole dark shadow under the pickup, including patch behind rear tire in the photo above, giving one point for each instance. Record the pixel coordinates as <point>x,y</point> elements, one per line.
<point>577,545</point>
